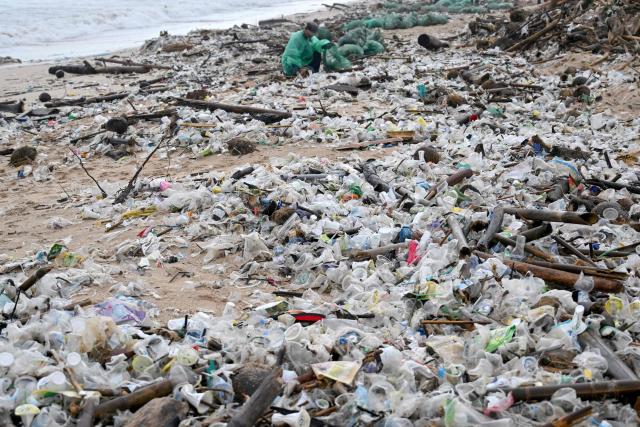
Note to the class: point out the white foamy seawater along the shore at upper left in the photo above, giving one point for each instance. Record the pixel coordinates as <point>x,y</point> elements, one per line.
<point>48,29</point>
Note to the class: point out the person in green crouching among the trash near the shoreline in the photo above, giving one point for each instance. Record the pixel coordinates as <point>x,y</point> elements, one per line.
<point>304,51</point>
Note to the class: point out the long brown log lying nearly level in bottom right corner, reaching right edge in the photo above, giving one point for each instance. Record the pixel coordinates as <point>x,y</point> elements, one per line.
<point>586,391</point>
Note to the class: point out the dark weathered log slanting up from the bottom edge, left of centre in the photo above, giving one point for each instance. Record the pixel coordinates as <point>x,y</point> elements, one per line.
<point>260,401</point>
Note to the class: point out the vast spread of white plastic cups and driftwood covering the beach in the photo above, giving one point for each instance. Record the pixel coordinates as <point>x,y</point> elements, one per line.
<point>481,272</point>
